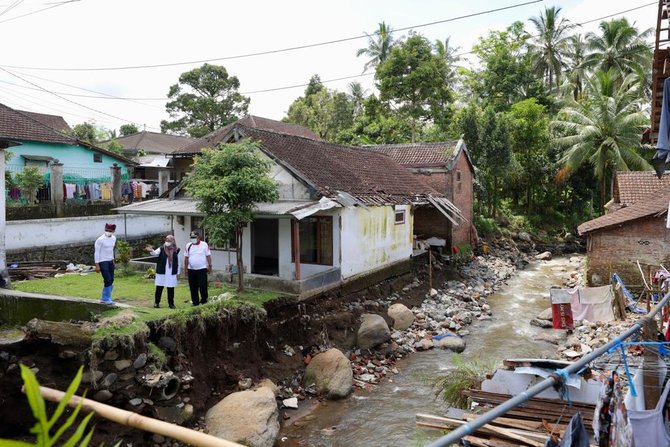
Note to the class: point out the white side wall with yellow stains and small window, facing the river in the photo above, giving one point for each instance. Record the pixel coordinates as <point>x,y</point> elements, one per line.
<point>371,239</point>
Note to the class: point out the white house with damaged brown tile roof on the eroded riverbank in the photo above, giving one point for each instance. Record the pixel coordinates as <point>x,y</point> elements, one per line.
<point>344,213</point>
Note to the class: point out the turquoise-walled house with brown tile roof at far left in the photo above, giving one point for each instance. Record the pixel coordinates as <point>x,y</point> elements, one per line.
<point>36,143</point>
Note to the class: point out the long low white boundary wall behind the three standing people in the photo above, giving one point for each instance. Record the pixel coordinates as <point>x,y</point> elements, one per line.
<point>29,234</point>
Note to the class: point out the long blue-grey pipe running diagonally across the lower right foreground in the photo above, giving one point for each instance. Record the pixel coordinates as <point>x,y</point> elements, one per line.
<point>470,427</point>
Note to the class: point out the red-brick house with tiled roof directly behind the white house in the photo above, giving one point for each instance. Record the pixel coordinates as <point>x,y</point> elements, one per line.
<point>448,168</point>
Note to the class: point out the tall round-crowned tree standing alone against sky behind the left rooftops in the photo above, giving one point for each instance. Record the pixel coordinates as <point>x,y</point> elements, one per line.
<point>204,99</point>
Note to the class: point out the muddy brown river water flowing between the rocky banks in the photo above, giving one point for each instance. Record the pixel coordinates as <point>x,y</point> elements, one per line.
<point>385,416</point>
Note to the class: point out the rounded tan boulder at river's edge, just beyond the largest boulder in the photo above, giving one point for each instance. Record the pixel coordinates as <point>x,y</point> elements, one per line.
<point>331,373</point>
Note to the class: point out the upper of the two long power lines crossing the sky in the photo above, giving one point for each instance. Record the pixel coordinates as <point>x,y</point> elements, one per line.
<point>280,50</point>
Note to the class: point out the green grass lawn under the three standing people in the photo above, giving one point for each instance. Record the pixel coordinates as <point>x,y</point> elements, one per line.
<point>132,289</point>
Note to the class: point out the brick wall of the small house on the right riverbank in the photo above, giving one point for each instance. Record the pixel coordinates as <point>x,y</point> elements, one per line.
<point>618,249</point>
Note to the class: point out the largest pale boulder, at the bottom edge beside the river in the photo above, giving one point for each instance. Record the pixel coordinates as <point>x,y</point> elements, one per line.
<point>250,417</point>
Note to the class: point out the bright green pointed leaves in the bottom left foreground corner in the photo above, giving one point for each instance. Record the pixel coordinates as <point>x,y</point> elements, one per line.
<point>45,424</point>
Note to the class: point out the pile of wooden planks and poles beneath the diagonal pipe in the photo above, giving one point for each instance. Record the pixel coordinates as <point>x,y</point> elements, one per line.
<point>529,424</point>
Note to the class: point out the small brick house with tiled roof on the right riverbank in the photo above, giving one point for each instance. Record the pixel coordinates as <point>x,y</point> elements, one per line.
<point>634,230</point>
